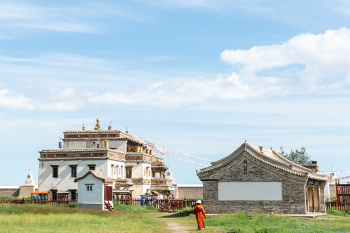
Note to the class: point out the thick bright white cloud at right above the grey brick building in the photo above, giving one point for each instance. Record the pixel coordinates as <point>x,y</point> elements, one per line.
<point>322,59</point>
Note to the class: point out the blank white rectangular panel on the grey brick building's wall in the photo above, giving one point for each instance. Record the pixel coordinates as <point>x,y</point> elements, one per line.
<point>250,191</point>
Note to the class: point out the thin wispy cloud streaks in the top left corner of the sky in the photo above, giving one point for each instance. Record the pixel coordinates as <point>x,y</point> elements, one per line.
<point>78,18</point>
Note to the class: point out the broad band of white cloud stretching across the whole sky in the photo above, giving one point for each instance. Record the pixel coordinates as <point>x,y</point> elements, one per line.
<point>305,62</point>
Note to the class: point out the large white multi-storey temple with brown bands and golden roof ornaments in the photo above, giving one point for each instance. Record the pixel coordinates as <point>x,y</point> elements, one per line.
<point>118,155</point>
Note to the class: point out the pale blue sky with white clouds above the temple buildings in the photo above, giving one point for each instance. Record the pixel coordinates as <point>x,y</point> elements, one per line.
<point>199,76</point>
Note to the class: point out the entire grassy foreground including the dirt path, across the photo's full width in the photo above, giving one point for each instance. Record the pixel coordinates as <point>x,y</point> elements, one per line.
<point>46,218</point>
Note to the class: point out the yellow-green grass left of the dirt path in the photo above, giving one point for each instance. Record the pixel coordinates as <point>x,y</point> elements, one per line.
<point>46,218</point>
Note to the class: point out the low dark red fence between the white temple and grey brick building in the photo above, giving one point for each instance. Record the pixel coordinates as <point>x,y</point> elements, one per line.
<point>162,205</point>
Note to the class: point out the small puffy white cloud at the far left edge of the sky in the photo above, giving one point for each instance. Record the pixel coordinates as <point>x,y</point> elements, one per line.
<point>9,99</point>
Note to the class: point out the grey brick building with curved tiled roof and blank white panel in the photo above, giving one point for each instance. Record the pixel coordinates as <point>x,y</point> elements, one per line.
<point>257,179</point>
